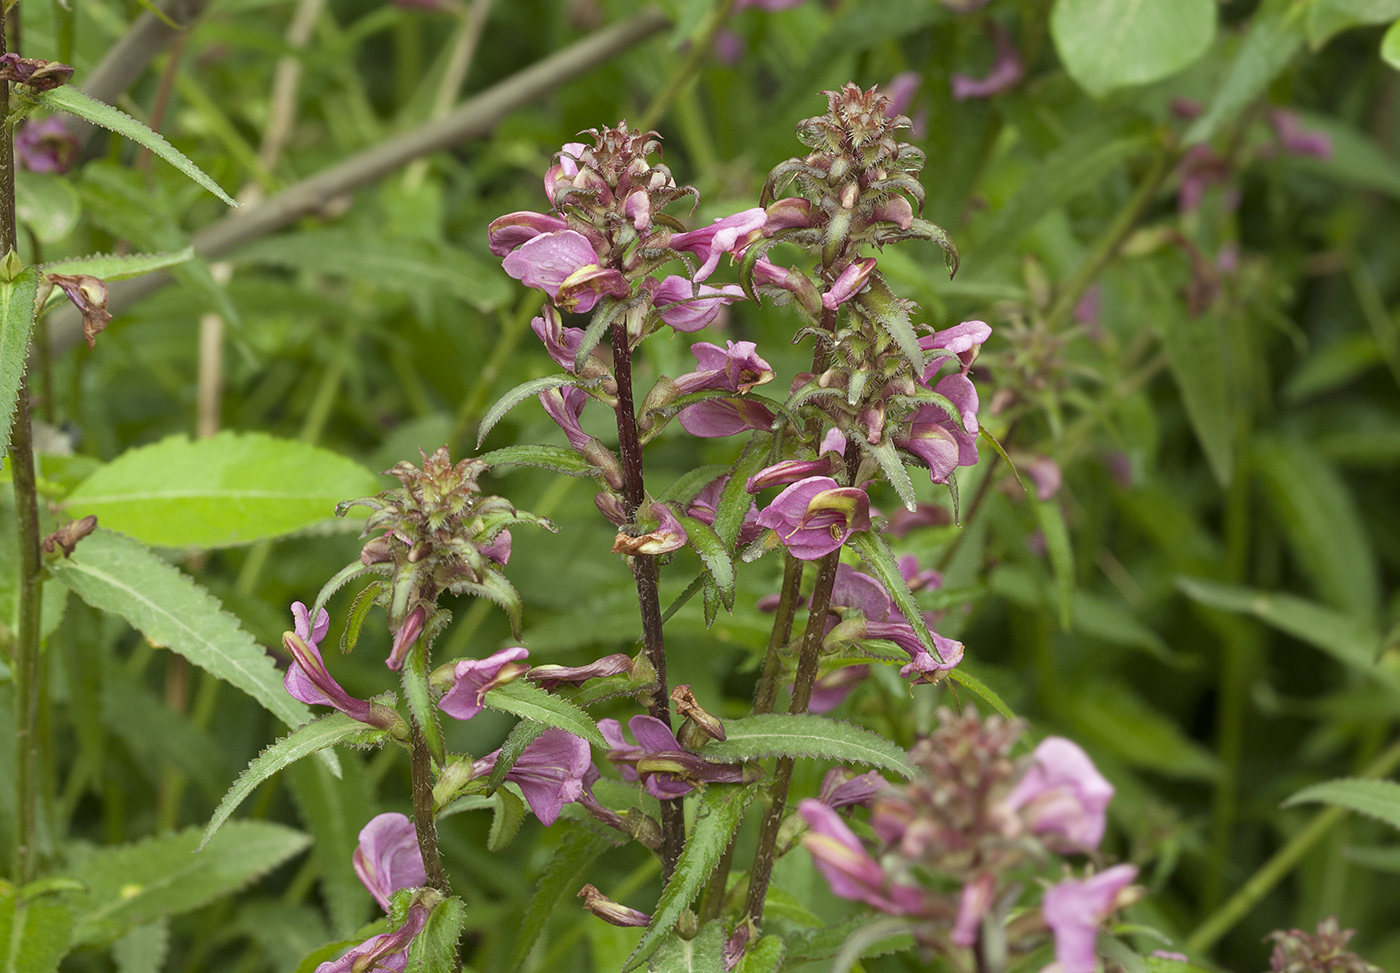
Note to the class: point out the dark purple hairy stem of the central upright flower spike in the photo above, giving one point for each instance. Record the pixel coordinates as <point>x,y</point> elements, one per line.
<point>647,577</point>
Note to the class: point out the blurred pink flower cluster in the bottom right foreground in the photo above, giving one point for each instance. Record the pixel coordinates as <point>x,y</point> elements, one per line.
<point>976,817</point>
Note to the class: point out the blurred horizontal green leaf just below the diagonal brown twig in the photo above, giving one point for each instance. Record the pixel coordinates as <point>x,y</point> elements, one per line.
<point>402,264</point>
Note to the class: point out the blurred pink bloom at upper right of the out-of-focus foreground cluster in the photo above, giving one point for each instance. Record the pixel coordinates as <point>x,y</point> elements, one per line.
<point>1063,794</point>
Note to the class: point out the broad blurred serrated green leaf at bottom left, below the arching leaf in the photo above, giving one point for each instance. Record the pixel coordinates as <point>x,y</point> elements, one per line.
<point>135,884</point>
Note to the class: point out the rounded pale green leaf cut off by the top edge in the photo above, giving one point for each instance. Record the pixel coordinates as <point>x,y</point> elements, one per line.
<point>1112,44</point>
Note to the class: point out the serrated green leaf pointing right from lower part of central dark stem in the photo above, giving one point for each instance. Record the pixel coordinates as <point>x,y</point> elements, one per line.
<point>807,736</point>
